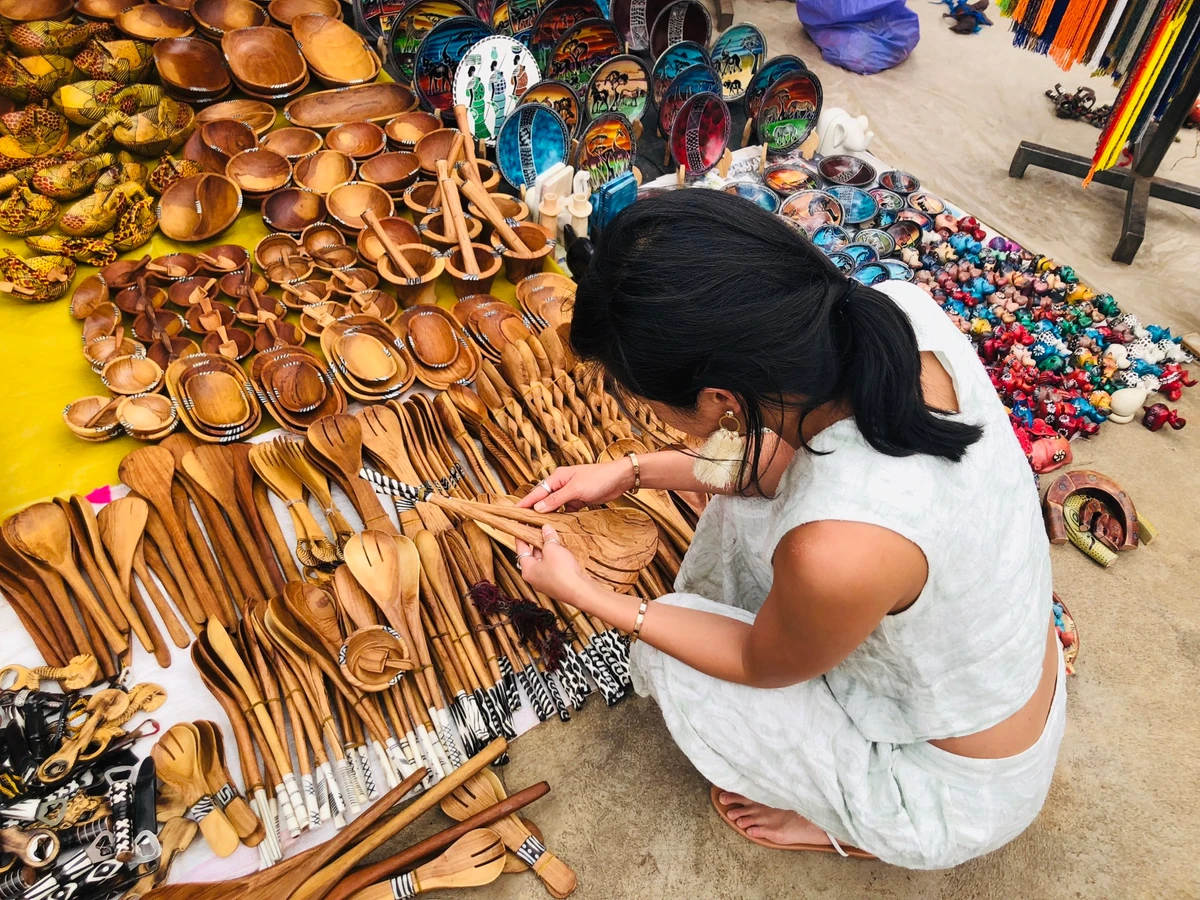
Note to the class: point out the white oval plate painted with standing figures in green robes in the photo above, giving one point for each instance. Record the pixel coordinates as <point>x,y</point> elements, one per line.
<point>494,75</point>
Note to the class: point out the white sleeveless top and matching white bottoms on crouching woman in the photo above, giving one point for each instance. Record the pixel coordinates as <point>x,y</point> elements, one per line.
<point>849,751</point>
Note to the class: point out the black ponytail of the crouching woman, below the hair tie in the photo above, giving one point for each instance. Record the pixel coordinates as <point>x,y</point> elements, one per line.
<point>881,381</point>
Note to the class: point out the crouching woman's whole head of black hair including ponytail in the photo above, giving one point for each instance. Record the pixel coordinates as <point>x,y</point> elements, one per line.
<point>699,289</point>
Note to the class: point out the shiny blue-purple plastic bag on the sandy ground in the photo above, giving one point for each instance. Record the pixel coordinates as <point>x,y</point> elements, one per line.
<point>865,37</point>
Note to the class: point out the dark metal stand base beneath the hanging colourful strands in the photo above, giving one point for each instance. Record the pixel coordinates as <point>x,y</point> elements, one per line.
<point>1139,182</point>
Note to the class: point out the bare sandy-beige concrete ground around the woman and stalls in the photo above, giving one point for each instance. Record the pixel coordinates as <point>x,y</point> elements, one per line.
<point>629,813</point>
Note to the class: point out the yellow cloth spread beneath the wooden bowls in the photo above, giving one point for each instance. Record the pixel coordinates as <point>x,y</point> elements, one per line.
<point>45,370</point>
